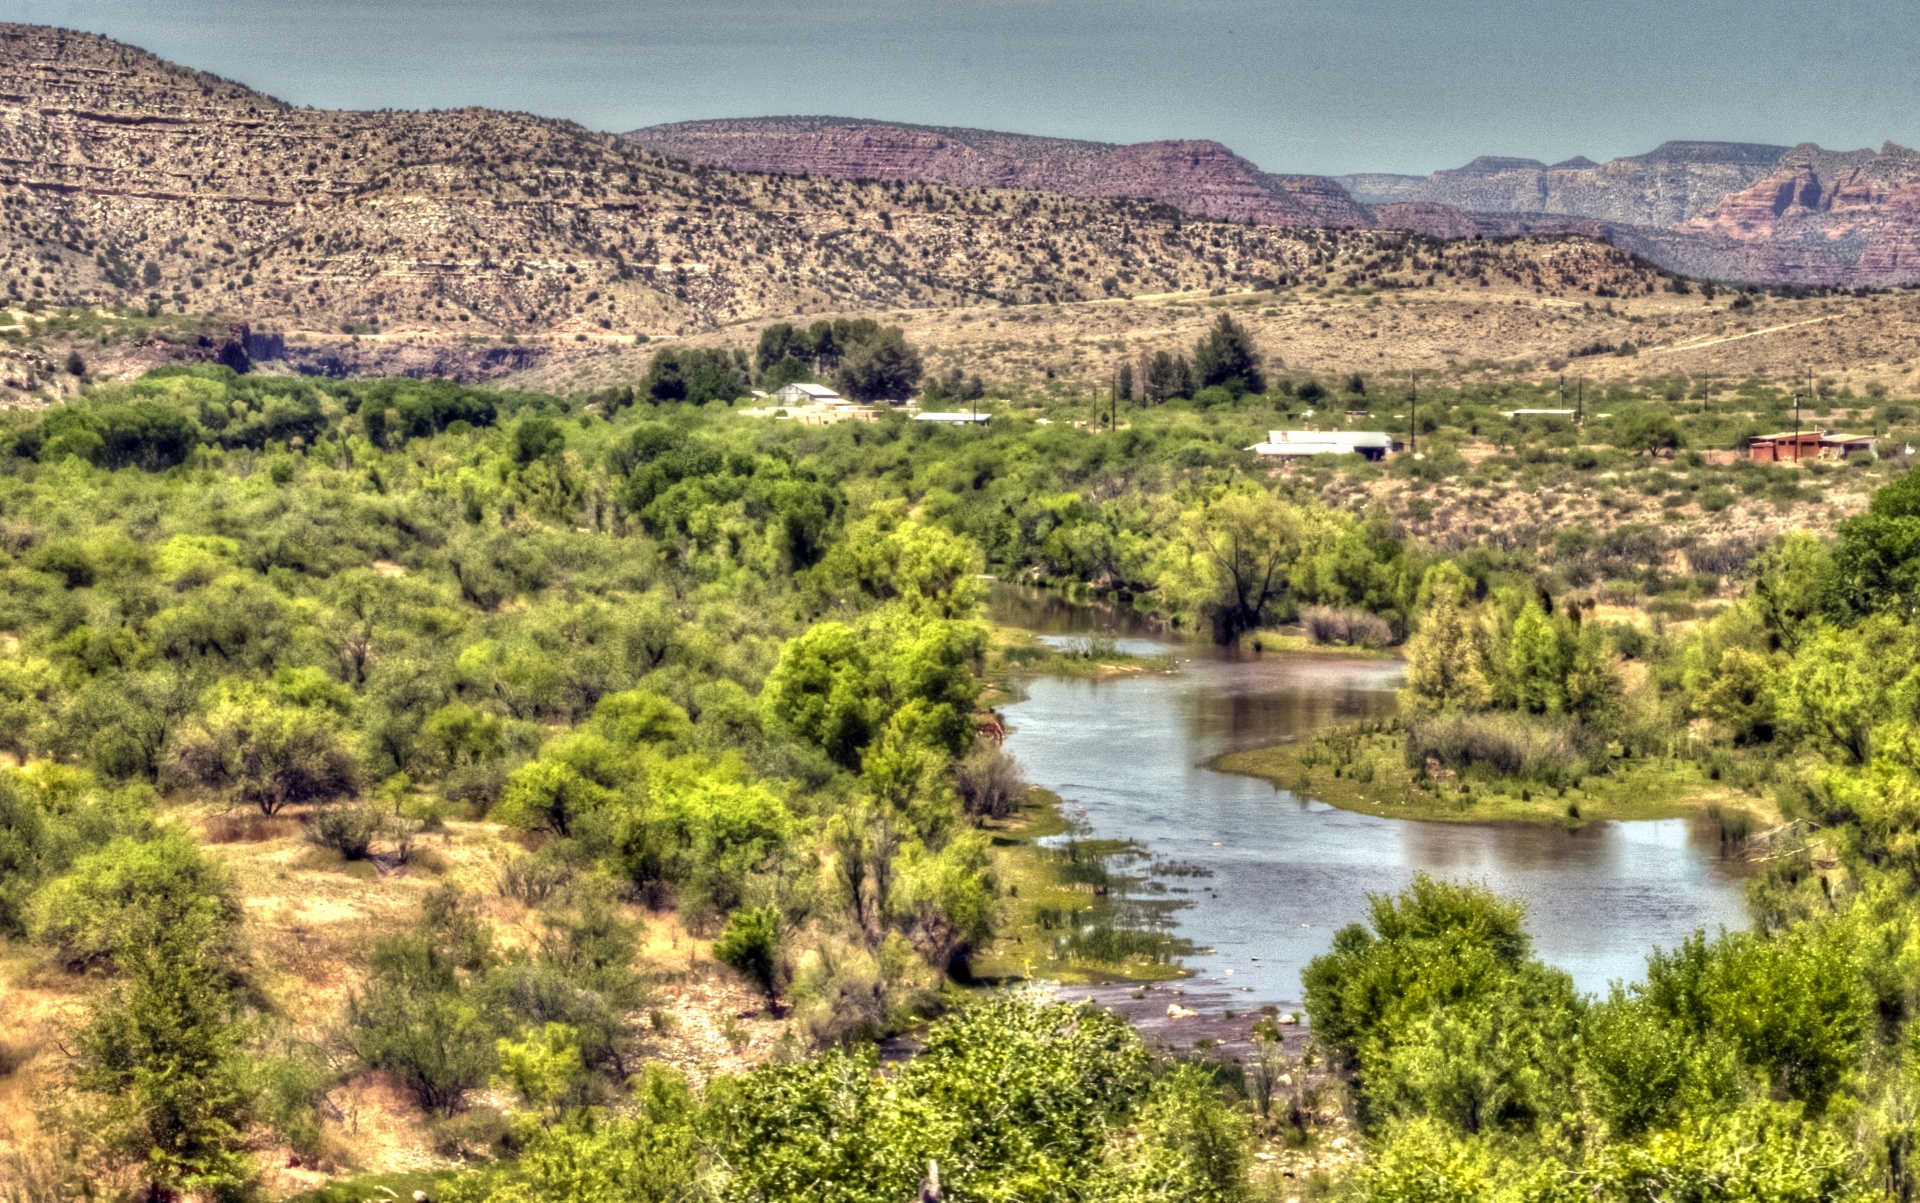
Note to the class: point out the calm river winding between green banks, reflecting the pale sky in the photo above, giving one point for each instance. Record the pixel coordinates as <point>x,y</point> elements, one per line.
<point>1132,755</point>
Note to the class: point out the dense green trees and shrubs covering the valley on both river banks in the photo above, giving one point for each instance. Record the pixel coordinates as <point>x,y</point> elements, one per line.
<point>731,671</point>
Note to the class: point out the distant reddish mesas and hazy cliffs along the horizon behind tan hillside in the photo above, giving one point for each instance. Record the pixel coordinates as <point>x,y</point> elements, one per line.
<point>1719,210</point>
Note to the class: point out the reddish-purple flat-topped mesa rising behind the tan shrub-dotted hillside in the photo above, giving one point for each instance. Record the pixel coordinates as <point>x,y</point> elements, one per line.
<point>1197,177</point>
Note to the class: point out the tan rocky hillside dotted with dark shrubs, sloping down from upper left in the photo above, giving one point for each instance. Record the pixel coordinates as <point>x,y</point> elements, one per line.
<point>133,181</point>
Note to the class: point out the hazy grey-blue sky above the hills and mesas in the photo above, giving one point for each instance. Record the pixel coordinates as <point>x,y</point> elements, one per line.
<point>1293,85</point>
